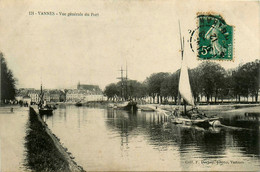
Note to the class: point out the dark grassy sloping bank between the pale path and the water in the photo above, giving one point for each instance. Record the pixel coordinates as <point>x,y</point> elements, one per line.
<point>42,153</point>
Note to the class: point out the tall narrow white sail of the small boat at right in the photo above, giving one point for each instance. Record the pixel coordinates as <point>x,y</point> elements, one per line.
<point>184,84</point>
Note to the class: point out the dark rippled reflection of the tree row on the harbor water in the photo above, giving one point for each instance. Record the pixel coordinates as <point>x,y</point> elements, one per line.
<point>192,141</point>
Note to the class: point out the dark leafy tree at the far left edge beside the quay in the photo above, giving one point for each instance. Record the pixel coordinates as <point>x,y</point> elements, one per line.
<point>7,81</point>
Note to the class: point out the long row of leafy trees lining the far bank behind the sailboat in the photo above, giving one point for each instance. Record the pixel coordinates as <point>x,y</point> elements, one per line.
<point>209,79</point>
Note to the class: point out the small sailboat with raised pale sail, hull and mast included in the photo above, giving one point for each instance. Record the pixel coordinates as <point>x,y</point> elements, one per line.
<point>193,116</point>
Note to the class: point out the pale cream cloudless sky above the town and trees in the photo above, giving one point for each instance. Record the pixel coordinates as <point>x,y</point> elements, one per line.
<point>60,51</point>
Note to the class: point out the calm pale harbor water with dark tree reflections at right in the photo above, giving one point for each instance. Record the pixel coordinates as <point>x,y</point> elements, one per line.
<point>110,139</point>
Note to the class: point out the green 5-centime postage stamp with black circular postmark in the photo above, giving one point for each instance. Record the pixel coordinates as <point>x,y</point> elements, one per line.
<point>212,39</point>
